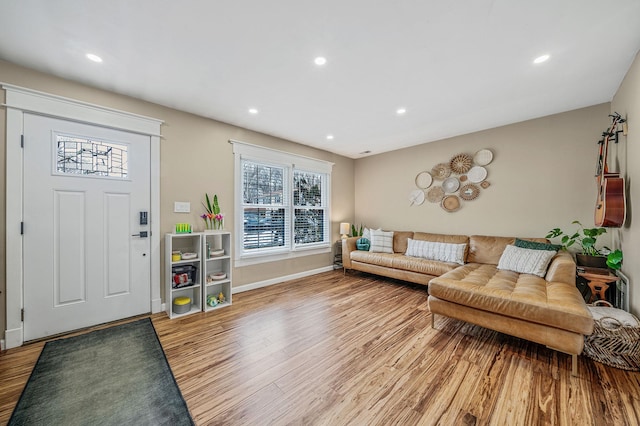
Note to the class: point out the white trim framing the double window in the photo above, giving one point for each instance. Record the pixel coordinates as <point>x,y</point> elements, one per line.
<point>244,150</point>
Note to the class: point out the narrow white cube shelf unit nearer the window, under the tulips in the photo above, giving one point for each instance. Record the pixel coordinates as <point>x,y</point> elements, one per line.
<point>216,269</point>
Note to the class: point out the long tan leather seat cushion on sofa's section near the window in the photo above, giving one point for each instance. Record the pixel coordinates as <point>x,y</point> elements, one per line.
<point>402,262</point>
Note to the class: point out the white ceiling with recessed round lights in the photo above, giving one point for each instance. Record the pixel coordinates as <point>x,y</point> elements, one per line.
<point>456,66</point>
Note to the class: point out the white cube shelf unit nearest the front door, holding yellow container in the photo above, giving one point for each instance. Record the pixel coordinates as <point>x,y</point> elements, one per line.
<point>183,277</point>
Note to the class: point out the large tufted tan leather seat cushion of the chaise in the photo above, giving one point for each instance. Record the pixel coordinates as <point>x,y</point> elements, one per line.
<point>523,296</point>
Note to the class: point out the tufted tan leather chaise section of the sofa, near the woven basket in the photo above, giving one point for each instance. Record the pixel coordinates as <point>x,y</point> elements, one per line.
<point>548,310</point>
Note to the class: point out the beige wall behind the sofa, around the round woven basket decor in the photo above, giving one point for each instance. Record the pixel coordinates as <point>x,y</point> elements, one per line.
<point>541,178</point>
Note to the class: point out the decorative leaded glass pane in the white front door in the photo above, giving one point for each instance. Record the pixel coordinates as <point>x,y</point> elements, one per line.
<point>81,156</point>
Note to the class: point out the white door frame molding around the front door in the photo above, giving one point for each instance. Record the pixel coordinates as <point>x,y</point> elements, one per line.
<point>20,100</point>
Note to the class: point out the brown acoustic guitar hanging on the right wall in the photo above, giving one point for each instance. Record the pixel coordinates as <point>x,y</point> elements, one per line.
<point>611,204</point>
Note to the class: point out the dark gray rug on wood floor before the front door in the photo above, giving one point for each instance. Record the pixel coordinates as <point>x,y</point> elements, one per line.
<point>114,376</point>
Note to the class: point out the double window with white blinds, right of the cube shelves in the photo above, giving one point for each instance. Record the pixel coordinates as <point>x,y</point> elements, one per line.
<point>282,203</point>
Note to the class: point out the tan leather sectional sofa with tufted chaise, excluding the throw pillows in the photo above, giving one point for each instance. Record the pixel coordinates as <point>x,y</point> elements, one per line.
<point>548,310</point>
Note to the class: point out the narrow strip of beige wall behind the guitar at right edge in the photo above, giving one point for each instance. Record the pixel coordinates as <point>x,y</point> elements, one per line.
<point>627,103</point>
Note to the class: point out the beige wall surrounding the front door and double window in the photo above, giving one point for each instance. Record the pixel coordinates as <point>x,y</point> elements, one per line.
<point>196,158</point>
